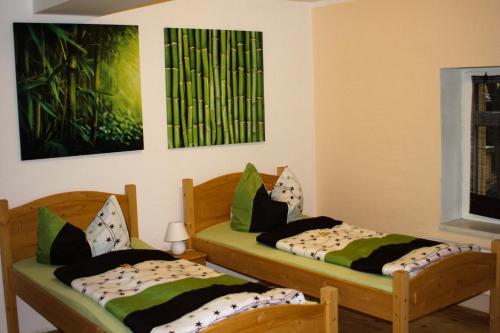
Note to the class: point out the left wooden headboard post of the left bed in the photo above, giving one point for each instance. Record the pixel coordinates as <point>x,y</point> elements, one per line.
<point>9,296</point>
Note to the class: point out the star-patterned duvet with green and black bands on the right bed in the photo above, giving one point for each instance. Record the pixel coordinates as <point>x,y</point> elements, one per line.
<point>332,241</point>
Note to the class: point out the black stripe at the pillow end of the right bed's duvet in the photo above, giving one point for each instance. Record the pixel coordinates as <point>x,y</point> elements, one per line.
<point>296,227</point>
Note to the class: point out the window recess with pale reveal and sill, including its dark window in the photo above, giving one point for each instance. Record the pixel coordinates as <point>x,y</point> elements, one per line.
<point>470,149</point>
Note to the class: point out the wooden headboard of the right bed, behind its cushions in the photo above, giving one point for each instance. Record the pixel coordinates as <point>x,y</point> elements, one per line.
<point>209,203</point>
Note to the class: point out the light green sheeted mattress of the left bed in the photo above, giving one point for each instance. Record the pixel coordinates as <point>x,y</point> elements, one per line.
<point>43,276</point>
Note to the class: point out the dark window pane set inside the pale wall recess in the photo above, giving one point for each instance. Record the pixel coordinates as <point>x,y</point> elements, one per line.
<point>485,147</point>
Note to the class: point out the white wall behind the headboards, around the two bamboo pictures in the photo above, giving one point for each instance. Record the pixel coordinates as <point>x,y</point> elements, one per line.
<point>158,171</point>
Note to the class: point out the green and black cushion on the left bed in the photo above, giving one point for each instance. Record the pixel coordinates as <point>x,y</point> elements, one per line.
<point>59,242</point>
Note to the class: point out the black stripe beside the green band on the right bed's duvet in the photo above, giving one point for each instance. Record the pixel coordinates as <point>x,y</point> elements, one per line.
<point>387,253</point>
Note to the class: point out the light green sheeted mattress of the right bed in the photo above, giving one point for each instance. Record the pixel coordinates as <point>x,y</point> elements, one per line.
<point>222,234</point>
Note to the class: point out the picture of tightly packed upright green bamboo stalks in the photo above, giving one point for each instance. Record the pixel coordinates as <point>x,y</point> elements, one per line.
<point>214,87</point>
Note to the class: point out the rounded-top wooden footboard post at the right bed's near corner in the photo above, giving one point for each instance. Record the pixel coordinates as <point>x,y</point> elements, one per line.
<point>400,302</point>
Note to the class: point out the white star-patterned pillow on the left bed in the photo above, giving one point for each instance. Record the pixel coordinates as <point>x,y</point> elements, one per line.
<point>108,231</point>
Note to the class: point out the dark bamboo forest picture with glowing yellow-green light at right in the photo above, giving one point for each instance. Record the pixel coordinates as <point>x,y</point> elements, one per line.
<point>78,88</point>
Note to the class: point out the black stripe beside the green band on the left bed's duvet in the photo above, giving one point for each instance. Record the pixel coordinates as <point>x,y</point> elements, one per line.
<point>144,321</point>
